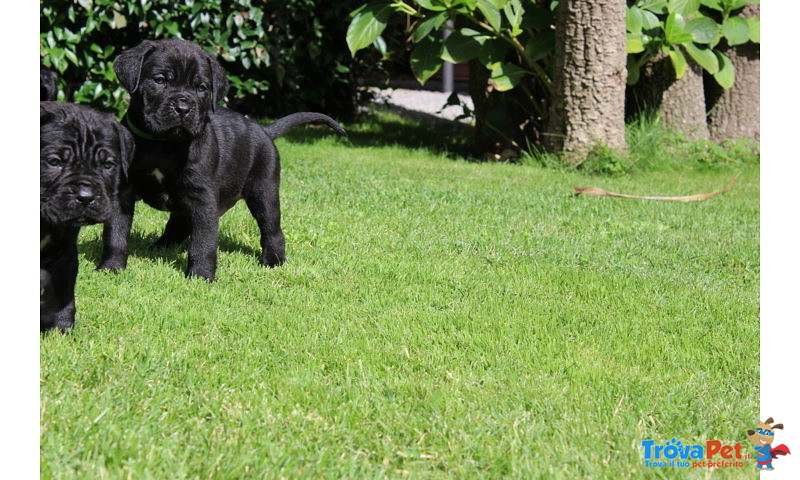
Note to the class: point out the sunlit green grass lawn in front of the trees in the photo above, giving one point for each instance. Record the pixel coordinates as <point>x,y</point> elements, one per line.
<point>436,318</point>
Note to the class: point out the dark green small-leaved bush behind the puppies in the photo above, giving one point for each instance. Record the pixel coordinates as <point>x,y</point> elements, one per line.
<point>280,56</point>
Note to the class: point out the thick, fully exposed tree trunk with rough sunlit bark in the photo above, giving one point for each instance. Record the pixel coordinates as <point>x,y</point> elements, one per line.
<point>589,80</point>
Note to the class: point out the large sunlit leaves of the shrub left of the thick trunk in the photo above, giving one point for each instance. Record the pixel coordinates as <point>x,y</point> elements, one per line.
<point>490,30</point>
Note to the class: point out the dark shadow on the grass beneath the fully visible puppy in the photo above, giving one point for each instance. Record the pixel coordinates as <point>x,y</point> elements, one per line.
<point>141,246</point>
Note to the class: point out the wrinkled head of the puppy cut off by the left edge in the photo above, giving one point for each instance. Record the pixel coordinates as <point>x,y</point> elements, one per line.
<point>84,154</point>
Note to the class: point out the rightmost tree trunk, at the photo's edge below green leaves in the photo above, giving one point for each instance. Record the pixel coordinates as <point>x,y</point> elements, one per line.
<point>734,112</point>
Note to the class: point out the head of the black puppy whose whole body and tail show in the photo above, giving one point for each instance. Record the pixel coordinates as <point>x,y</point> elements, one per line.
<point>173,83</point>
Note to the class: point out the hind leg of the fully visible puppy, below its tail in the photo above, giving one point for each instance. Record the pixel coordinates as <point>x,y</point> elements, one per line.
<point>261,196</point>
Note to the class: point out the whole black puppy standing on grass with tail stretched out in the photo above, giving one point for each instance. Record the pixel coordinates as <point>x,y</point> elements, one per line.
<point>194,159</point>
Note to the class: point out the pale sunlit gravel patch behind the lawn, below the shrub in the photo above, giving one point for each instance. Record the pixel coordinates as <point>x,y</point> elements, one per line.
<point>423,101</point>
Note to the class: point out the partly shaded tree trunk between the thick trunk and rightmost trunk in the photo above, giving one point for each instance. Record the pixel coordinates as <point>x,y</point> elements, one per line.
<point>679,101</point>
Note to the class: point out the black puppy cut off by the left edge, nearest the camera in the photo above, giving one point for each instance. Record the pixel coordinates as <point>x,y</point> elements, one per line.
<point>83,157</point>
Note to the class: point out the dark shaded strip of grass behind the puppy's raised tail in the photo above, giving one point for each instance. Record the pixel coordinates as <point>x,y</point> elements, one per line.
<point>396,126</point>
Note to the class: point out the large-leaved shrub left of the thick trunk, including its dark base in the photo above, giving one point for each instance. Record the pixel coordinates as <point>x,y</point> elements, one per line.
<point>509,41</point>
